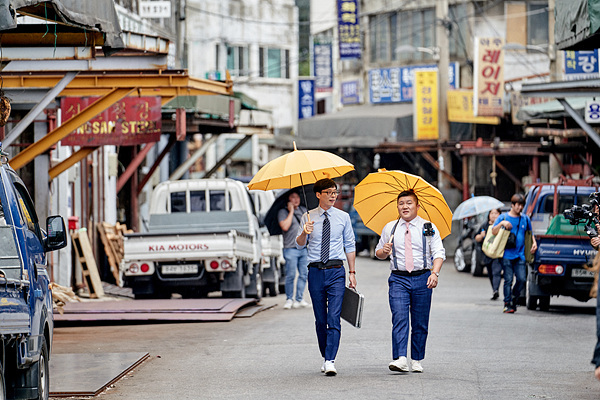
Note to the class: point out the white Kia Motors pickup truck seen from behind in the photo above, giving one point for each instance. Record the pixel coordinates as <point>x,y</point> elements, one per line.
<point>203,237</point>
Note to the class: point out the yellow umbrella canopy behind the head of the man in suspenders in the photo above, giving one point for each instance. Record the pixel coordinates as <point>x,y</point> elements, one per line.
<point>375,200</point>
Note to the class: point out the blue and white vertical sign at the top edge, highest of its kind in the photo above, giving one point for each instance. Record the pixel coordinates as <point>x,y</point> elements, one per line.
<point>349,29</point>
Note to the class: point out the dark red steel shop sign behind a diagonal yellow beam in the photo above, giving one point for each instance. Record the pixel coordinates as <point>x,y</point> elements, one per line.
<point>130,121</point>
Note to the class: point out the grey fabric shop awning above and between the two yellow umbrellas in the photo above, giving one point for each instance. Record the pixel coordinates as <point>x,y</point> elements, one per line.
<point>364,126</point>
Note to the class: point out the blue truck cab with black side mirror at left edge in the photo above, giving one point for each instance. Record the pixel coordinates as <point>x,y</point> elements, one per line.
<point>26,320</point>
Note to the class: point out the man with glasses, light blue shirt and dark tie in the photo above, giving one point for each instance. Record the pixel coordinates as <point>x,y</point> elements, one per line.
<point>327,233</point>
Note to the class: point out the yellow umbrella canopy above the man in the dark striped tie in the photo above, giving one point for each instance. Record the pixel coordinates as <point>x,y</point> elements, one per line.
<point>298,168</point>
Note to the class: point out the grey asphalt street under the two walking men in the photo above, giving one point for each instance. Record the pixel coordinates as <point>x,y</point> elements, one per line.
<point>474,351</point>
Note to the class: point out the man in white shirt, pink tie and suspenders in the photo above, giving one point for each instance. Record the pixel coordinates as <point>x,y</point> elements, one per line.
<point>417,254</point>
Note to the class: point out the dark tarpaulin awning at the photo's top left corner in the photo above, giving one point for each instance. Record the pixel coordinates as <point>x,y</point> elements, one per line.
<point>97,16</point>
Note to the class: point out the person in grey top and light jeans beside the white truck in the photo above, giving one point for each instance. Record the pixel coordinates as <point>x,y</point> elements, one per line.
<point>295,259</point>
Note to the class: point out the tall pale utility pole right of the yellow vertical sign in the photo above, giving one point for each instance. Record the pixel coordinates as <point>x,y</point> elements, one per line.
<point>444,160</point>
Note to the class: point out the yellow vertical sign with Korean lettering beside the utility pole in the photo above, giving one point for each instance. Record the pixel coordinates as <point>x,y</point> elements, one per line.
<point>425,104</point>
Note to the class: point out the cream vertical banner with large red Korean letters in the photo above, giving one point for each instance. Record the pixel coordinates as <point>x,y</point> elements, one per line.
<point>488,85</point>
